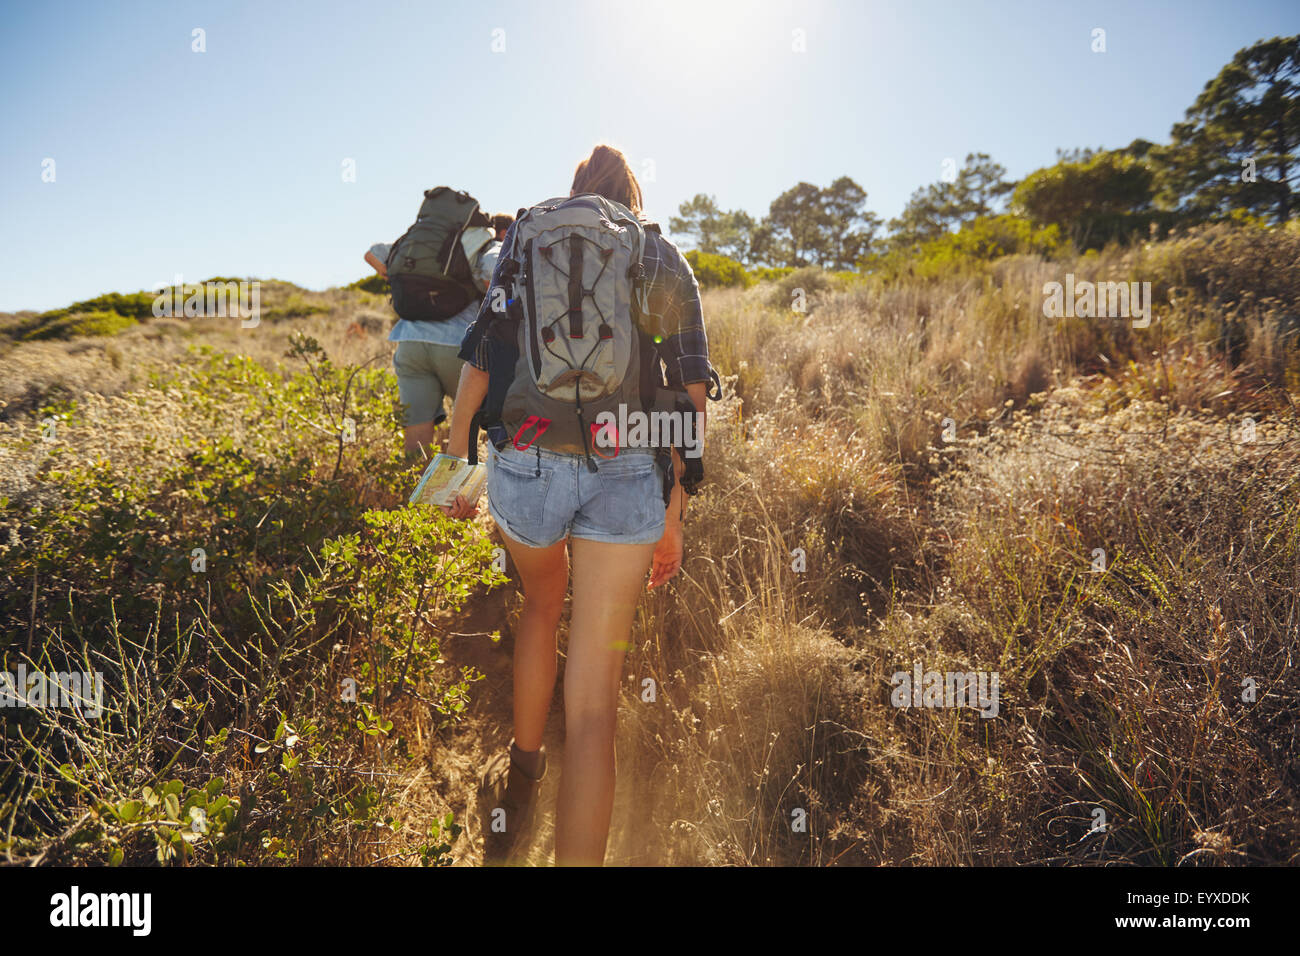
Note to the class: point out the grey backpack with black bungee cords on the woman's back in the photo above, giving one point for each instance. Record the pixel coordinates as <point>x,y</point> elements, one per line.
<point>582,348</point>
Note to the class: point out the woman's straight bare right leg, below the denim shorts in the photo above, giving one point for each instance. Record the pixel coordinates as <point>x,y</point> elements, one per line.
<point>608,583</point>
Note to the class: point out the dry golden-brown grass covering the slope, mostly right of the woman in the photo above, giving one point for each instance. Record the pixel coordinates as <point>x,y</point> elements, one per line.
<point>757,725</point>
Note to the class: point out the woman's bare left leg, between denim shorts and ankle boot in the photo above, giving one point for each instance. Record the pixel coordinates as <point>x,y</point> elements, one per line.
<point>544,573</point>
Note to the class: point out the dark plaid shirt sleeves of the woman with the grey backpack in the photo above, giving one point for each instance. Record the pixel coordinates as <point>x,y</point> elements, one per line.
<point>673,295</point>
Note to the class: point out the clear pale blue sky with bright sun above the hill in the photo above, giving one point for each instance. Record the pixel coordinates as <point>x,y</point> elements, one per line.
<point>229,162</point>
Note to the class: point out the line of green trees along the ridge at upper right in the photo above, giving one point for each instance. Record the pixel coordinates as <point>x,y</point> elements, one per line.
<point>1236,155</point>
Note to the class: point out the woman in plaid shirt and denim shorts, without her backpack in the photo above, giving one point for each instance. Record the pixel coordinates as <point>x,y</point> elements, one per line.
<point>610,527</point>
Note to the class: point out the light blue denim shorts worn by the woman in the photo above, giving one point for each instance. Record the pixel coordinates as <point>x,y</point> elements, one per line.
<point>540,498</point>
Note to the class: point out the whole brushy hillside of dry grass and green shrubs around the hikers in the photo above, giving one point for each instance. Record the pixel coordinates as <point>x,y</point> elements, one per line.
<point>916,477</point>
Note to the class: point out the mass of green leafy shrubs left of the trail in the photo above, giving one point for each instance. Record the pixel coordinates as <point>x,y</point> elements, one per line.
<point>255,682</point>
